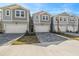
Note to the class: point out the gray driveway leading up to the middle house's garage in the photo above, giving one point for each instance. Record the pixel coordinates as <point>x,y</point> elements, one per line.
<point>49,38</point>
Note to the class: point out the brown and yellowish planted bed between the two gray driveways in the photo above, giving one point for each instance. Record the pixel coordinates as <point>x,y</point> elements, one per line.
<point>26,39</point>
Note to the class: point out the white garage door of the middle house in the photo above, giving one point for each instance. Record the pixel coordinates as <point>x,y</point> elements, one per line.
<point>42,28</point>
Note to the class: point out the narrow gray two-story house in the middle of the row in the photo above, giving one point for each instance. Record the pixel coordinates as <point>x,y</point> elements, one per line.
<point>41,21</point>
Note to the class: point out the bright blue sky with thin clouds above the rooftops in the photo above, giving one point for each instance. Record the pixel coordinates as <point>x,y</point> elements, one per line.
<point>52,8</point>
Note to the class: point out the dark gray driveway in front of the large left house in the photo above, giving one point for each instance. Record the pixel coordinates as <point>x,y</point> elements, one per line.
<point>5,38</point>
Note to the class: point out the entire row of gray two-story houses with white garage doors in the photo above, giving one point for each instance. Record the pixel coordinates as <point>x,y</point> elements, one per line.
<point>16,19</point>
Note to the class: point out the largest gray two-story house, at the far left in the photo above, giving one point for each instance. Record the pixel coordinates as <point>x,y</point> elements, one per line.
<point>14,19</point>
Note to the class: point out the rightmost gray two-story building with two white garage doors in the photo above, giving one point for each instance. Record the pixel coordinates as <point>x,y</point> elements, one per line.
<point>65,22</point>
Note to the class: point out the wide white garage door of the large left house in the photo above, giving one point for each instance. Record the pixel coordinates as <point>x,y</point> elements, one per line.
<point>15,28</point>
